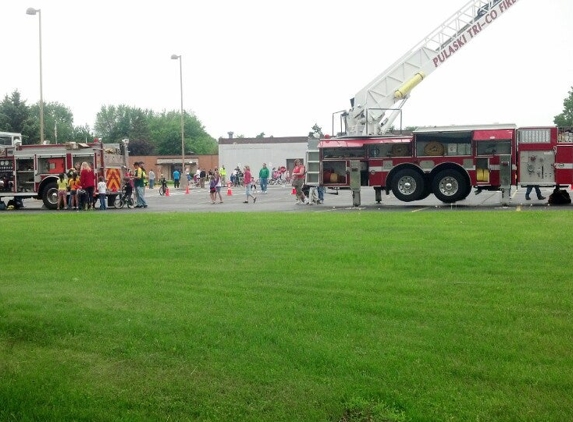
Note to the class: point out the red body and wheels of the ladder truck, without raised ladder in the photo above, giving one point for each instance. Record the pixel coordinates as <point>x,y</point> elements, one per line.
<point>449,161</point>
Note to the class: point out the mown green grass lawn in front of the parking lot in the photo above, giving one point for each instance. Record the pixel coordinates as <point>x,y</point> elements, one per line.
<point>439,316</point>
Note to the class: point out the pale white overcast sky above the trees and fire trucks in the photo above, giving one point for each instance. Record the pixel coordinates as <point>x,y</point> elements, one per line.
<point>279,67</point>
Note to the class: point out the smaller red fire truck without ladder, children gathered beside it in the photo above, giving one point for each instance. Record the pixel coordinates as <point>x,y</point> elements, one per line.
<point>31,171</point>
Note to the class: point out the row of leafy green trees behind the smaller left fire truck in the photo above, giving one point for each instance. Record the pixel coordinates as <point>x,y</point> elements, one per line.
<point>149,132</point>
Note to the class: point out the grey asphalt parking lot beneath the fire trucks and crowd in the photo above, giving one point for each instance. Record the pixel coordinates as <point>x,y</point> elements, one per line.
<point>280,198</point>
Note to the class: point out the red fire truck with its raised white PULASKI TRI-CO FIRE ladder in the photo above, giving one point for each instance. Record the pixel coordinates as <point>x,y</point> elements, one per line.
<point>445,161</point>
